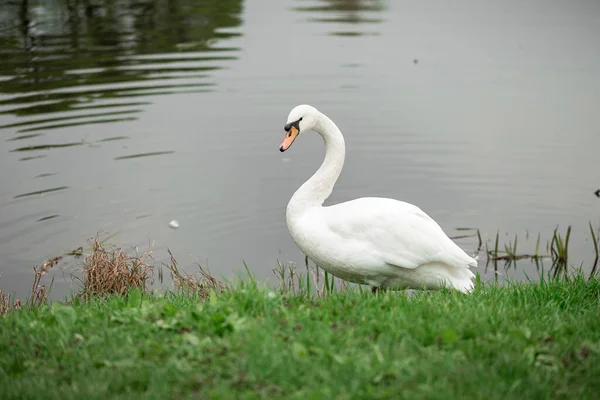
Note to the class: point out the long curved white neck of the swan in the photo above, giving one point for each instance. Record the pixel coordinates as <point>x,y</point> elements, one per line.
<point>318,188</point>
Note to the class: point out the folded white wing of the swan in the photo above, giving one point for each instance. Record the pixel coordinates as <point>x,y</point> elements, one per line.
<point>398,233</point>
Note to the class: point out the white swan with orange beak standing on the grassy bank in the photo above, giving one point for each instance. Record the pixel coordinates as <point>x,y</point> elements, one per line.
<point>380,242</point>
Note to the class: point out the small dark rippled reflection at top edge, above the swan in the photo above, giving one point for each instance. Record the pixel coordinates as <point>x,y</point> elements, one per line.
<point>346,16</point>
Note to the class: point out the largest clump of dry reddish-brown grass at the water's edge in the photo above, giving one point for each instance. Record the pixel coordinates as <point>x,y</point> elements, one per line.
<point>113,272</point>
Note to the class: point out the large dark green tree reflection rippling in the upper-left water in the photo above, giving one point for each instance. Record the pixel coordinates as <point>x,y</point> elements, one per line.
<point>84,61</point>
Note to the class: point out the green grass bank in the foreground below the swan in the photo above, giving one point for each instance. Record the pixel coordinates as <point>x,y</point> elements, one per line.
<point>533,341</point>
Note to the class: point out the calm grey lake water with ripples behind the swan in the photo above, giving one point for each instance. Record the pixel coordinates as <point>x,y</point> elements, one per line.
<point>120,116</point>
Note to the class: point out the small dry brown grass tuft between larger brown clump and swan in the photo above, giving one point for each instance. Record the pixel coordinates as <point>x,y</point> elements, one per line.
<point>199,285</point>
